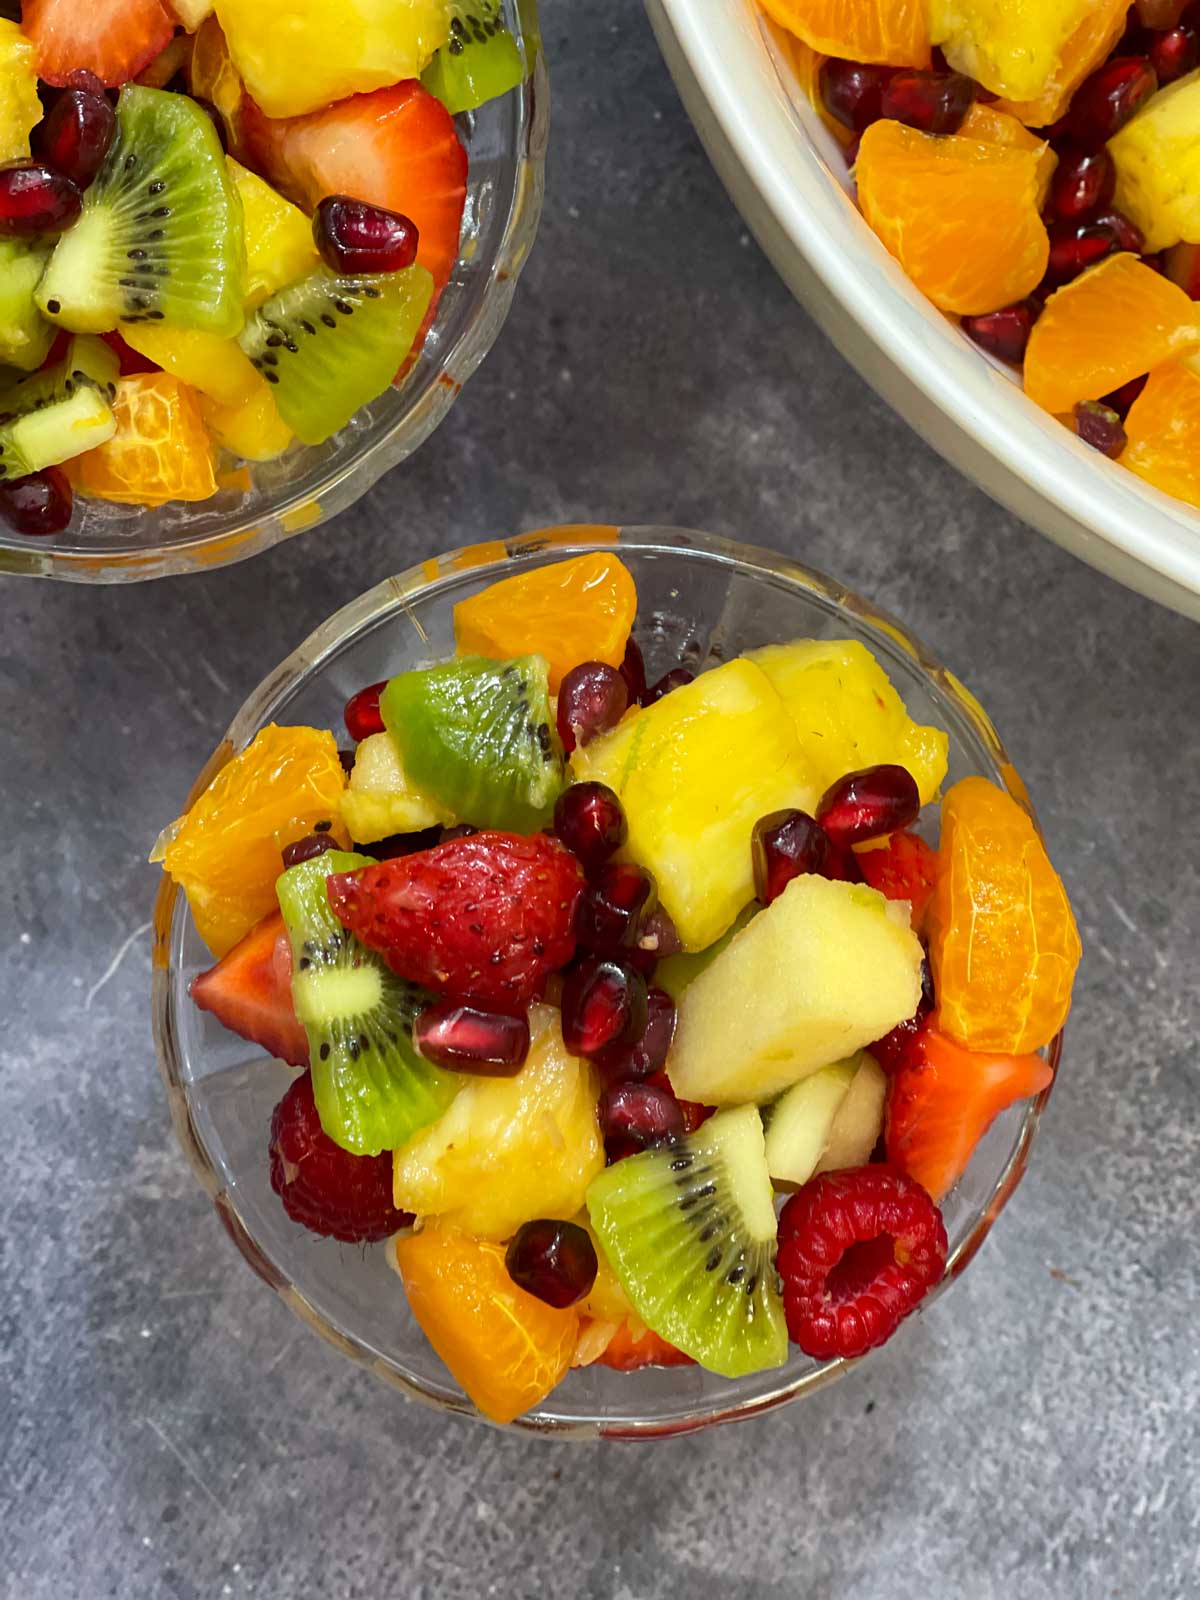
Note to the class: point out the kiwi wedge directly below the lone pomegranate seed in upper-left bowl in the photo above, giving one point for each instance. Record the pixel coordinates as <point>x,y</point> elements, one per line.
<point>330,345</point>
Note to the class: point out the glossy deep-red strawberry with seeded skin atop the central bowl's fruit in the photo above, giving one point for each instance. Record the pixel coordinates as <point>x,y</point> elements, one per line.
<point>482,919</point>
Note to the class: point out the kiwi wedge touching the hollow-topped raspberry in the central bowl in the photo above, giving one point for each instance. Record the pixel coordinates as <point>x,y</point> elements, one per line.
<point>690,1233</point>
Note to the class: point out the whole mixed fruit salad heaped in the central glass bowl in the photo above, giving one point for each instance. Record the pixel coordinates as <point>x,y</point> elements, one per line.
<point>638,1023</point>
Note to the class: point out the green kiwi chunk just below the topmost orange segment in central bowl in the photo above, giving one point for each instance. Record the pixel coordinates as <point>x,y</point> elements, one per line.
<point>478,735</point>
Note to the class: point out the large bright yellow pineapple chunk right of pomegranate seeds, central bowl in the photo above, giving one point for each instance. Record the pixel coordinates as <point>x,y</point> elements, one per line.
<point>695,774</point>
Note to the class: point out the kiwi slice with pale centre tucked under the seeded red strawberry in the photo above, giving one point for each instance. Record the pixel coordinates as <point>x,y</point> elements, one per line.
<point>374,1089</point>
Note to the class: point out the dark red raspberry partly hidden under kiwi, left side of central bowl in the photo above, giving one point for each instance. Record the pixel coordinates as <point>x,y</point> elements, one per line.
<point>322,1186</point>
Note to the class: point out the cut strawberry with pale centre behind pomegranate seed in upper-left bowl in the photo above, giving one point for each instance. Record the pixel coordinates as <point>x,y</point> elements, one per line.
<point>396,148</point>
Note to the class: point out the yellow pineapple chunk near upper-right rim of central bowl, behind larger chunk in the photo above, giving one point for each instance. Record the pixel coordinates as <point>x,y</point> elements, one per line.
<point>849,716</point>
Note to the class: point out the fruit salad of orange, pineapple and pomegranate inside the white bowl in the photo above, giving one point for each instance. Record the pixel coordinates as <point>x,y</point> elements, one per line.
<point>1036,172</point>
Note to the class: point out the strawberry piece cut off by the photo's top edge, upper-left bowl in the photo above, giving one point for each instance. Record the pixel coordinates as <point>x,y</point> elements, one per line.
<point>114,39</point>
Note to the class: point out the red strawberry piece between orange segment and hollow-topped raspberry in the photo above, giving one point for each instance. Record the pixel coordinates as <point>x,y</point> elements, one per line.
<point>943,1100</point>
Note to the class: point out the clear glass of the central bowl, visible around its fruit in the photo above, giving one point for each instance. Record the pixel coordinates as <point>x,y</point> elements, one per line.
<point>702,601</point>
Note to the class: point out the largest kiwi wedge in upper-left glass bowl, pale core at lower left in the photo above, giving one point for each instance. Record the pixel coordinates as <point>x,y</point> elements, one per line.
<point>161,238</point>
